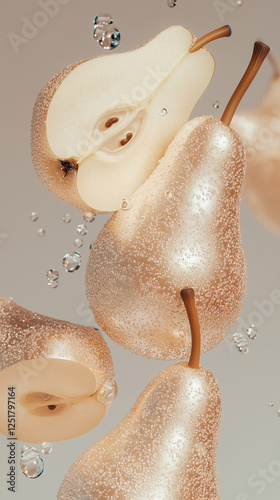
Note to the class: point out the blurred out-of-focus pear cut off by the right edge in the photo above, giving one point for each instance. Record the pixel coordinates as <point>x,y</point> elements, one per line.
<point>260,131</point>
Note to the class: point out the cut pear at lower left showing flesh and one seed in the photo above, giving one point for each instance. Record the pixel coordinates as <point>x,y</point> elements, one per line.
<point>62,375</point>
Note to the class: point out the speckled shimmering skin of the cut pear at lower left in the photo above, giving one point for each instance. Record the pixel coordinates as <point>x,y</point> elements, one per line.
<point>25,335</point>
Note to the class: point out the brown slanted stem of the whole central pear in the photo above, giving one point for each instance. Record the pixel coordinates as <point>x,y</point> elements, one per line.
<point>260,52</point>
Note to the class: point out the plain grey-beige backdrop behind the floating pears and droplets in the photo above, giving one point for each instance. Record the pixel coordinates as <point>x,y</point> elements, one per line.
<point>250,433</point>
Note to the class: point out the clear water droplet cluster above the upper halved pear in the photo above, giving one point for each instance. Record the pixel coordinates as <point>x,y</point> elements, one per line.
<point>105,33</point>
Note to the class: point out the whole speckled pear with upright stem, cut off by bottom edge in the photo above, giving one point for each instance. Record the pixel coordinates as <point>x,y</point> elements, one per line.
<point>165,448</point>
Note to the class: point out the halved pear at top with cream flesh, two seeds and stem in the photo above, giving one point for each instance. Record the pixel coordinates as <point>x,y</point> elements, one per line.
<point>100,126</point>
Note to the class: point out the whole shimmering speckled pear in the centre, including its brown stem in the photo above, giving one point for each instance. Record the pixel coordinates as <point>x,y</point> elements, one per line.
<point>180,229</point>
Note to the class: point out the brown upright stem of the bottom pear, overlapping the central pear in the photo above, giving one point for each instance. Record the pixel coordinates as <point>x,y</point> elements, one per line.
<point>189,302</point>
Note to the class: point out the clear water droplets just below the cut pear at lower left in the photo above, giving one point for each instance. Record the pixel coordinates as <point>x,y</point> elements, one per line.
<point>31,462</point>
